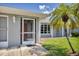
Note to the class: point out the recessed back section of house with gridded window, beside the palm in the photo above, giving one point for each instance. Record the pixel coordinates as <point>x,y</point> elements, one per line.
<point>47,31</point>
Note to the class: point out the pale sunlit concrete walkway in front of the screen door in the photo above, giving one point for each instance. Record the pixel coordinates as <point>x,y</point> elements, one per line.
<point>24,51</point>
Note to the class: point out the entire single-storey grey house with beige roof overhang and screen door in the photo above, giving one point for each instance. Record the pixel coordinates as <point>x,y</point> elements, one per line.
<point>21,27</point>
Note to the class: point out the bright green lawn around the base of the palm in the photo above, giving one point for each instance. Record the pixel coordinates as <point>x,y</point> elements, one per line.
<point>59,46</point>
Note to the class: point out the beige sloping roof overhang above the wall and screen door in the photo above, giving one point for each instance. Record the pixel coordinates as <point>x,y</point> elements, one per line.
<point>14,11</point>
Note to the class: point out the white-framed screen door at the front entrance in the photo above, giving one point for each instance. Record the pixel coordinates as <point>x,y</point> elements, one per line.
<point>28,31</point>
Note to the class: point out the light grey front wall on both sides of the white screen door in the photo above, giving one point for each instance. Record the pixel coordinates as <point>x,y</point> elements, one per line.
<point>14,31</point>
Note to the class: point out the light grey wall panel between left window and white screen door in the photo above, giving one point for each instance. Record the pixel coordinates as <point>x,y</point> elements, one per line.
<point>14,31</point>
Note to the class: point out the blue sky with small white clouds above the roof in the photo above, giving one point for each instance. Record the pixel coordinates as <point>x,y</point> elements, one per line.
<point>34,7</point>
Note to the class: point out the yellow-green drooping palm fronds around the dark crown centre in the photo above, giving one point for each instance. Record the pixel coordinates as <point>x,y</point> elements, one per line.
<point>70,10</point>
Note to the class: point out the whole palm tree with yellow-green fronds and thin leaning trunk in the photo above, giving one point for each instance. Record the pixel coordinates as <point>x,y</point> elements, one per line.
<point>65,16</point>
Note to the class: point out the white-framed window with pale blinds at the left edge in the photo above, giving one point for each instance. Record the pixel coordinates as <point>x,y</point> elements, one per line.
<point>3,29</point>
